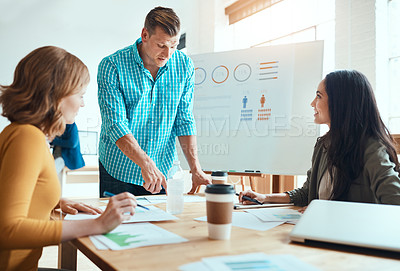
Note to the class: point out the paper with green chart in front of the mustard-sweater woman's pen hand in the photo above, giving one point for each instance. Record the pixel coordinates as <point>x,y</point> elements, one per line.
<point>135,235</point>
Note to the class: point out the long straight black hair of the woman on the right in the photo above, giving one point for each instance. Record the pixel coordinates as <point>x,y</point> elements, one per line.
<point>355,118</point>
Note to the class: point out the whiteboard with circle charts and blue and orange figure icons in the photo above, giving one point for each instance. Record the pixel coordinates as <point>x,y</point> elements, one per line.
<point>252,108</point>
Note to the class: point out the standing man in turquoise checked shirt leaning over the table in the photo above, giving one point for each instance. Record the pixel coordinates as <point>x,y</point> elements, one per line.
<point>146,100</point>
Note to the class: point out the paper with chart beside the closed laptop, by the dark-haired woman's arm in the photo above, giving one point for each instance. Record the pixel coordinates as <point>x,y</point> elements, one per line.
<point>276,214</point>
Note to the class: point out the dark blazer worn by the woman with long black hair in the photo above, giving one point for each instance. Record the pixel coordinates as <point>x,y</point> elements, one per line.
<point>377,183</point>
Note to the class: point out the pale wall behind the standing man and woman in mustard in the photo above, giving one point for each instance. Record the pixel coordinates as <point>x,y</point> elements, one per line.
<point>90,29</point>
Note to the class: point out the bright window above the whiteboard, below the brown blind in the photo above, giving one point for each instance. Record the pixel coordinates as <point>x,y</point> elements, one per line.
<point>290,21</point>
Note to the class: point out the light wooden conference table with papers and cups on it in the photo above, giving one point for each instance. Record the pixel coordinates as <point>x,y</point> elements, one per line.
<point>274,241</point>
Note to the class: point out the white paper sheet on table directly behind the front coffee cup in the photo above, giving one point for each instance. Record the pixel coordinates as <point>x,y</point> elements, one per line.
<point>248,221</point>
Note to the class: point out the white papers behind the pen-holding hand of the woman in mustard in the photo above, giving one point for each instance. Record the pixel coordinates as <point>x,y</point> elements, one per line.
<point>141,215</point>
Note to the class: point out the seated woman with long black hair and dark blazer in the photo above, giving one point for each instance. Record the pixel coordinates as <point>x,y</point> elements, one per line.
<point>356,159</point>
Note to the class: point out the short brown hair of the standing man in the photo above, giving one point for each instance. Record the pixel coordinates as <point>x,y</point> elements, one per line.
<point>165,18</point>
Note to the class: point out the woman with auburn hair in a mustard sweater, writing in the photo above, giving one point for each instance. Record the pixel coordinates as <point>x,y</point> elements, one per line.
<point>46,94</point>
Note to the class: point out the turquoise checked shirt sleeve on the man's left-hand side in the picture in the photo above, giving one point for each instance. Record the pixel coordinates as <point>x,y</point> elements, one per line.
<point>111,101</point>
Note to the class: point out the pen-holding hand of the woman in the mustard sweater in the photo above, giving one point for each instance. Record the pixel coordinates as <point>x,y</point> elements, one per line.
<point>119,208</point>
